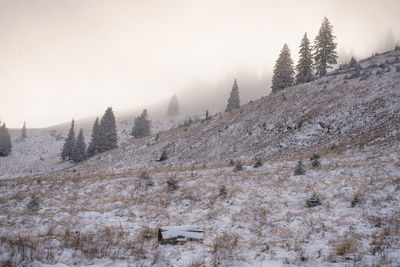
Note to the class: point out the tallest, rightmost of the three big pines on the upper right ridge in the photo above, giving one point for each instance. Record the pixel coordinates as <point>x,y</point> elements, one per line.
<point>324,49</point>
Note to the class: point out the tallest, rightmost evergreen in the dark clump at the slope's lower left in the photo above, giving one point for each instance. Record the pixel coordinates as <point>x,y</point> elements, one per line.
<point>108,131</point>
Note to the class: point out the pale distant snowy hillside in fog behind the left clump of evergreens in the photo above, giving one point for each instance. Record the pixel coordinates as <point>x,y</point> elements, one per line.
<point>39,153</point>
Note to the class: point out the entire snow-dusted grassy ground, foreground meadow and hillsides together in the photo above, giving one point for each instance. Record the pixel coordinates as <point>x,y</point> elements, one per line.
<point>107,209</point>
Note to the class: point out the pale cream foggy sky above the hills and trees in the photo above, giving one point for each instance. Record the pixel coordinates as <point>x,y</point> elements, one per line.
<point>73,58</point>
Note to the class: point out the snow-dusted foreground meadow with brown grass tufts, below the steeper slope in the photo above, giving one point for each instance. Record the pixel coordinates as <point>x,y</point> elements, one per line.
<point>262,221</point>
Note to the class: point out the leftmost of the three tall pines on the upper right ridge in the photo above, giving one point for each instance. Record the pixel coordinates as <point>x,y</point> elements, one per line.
<point>283,70</point>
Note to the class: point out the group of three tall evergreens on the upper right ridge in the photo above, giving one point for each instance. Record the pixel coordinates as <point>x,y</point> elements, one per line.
<point>314,61</point>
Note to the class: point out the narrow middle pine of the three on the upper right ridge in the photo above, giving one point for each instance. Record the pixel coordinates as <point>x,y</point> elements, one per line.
<point>304,67</point>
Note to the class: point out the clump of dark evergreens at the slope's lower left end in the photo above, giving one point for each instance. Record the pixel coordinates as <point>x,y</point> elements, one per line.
<point>104,137</point>
